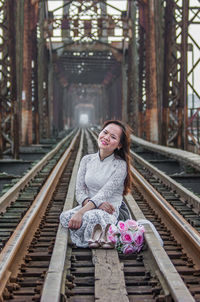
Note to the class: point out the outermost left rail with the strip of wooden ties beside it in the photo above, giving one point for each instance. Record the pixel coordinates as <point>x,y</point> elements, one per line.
<point>15,203</point>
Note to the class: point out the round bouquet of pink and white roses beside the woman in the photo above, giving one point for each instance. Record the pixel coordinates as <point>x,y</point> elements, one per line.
<point>128,236</point>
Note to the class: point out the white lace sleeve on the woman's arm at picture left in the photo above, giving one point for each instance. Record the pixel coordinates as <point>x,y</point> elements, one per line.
<point>81,188</point>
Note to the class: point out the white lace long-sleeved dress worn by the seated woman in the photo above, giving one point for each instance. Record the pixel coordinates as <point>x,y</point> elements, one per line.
<point>98,180</point>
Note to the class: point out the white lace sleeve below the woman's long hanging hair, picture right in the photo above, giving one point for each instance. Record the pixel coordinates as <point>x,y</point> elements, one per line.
<point>115,181</point>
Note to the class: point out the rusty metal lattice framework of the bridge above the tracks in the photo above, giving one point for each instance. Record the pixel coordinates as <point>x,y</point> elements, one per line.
<point>144,61</point>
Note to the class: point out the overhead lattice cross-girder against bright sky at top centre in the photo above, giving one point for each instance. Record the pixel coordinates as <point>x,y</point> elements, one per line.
<point>87,21</point>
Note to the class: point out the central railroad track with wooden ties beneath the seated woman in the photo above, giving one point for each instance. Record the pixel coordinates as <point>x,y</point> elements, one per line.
<point>54,270</point>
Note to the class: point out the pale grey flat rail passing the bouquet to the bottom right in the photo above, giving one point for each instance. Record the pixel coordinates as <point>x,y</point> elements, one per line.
<point>167,274</point>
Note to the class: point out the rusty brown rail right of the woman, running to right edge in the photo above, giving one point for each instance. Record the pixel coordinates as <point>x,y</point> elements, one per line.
<point>178,225</point>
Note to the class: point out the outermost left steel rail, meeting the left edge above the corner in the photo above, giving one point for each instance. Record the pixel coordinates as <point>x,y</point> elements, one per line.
<point>13,192</point>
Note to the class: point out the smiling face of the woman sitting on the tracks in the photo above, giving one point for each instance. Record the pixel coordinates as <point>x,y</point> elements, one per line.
<point>109,138</point>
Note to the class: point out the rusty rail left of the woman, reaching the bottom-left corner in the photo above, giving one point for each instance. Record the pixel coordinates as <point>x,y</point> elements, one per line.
<point>22,235</point>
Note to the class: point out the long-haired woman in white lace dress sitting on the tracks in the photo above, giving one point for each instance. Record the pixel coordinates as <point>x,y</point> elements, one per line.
<point>103,178</point>
